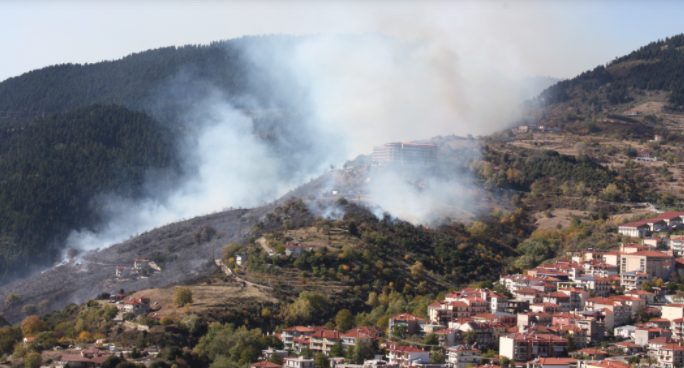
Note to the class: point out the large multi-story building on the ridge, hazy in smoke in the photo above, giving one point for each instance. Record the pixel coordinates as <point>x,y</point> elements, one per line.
<point>405,153</point>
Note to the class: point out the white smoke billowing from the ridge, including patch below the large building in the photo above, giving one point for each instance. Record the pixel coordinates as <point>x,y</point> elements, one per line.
<point>318,101</point>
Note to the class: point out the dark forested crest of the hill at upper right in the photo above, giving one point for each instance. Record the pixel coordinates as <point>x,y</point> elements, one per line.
<point>658,66</point>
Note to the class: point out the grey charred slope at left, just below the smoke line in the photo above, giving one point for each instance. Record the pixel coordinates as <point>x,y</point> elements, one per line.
<point>183,251</point>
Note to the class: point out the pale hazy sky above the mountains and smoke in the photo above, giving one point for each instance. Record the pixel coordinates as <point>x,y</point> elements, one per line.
<point>552,38</point>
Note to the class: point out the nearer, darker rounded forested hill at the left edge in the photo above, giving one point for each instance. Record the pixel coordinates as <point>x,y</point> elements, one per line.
<point>52,169</point>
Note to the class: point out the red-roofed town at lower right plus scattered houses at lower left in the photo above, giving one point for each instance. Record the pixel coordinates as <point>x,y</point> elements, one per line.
<point>592,308</point>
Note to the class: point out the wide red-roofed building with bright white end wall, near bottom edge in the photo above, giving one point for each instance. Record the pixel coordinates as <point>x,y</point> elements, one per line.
<point>524,347</point>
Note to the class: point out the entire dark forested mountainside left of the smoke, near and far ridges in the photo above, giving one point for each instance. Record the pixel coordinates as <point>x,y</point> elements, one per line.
<point>71,134</point>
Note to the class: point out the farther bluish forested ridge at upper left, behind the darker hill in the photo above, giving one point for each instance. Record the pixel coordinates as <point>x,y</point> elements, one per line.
<point>132,81</point>
